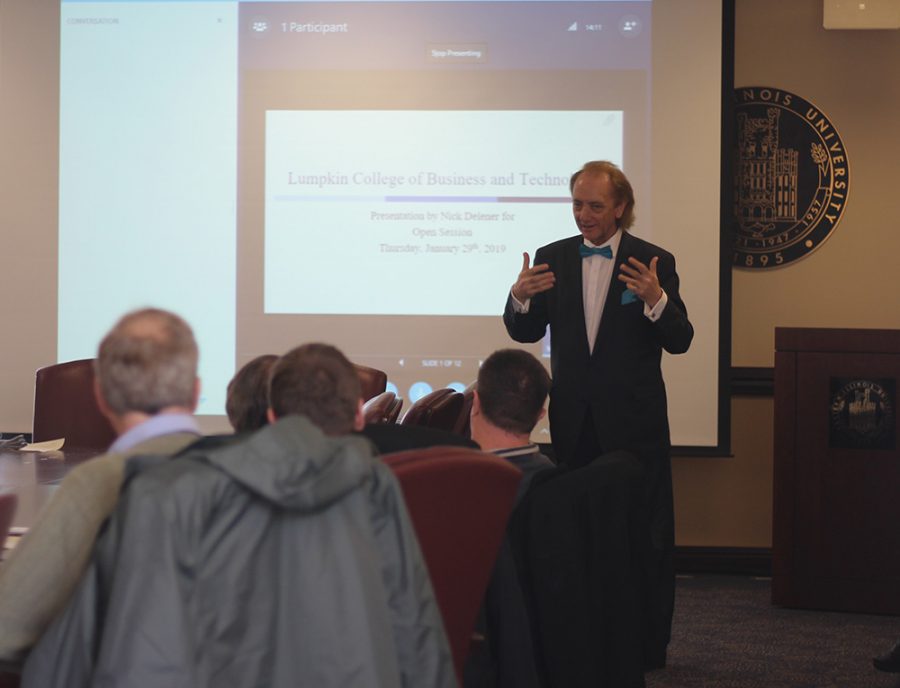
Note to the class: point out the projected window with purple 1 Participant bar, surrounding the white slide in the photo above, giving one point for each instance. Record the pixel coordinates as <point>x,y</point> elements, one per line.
<point>390,180</point>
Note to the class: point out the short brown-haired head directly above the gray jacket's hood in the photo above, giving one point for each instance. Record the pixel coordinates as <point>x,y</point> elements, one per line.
<point>317,381</point>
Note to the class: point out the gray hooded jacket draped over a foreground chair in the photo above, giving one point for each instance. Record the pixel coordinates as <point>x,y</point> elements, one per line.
<point>287,559</point>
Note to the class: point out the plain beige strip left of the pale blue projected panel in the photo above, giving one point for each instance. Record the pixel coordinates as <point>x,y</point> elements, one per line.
<point>28,156</point>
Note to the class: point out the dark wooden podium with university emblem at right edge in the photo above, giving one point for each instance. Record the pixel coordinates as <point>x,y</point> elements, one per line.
<point>836,521</point>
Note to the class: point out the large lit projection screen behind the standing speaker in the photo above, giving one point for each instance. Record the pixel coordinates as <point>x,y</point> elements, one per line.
<point>370,173</point>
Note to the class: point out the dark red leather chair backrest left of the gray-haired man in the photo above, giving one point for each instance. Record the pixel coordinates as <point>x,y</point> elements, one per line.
<point>64,406</point>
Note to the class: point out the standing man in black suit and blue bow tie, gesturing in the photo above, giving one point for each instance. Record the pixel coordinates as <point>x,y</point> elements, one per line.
<point>612,303</point>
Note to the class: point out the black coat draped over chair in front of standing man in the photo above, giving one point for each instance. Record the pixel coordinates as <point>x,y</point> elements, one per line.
<point>579,539</point>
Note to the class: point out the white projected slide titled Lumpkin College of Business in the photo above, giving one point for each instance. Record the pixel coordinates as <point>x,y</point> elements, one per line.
<point>399,199</point>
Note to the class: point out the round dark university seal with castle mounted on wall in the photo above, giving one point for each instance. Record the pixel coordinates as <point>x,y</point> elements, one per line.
<point>791,177</point>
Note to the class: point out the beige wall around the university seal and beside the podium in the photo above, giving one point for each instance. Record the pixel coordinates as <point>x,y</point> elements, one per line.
<point>854,78</point>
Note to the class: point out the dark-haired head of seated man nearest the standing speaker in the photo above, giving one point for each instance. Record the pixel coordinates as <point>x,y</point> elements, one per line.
<point>510,393</point>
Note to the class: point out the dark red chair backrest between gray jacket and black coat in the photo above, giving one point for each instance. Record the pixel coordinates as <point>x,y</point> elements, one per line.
<point>459,500</point>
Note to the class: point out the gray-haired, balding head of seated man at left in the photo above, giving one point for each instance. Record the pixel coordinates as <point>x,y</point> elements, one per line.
<point>146,364</point>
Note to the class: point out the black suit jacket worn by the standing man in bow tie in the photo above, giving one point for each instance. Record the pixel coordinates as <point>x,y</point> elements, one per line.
<point>621,381</point>
